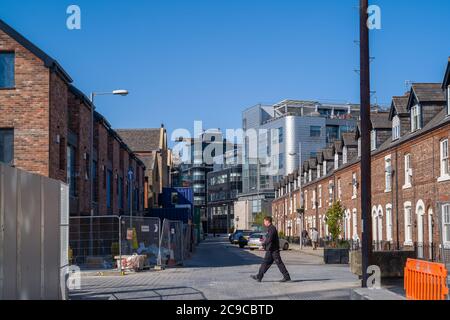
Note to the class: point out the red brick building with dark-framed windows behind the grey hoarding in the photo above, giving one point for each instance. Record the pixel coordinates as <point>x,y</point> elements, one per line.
<point>45,128</point>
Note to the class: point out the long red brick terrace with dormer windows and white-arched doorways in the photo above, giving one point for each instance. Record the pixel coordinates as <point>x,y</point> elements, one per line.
<point>410,176</point>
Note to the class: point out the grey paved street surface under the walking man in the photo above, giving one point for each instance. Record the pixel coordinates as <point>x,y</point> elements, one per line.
<point>220,271</point>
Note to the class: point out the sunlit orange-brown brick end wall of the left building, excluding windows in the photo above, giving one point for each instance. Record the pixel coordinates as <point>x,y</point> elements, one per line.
<point>26,109</point>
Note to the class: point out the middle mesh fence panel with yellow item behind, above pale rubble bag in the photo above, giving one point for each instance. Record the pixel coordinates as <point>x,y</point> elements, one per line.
<point>145,237</point>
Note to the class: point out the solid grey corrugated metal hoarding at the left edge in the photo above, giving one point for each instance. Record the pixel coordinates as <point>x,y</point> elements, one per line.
<point>30,246</point>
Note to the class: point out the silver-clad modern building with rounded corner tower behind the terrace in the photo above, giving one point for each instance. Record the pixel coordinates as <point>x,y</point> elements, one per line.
<point>281,137</point>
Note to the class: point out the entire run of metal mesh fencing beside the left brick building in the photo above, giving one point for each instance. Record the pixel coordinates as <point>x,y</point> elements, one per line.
<point>122,243</point>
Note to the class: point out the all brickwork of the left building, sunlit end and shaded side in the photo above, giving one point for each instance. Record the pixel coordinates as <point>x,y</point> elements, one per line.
<point>44,113</point>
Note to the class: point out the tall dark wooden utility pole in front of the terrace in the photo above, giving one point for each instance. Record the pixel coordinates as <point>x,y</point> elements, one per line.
<point>366,198</point>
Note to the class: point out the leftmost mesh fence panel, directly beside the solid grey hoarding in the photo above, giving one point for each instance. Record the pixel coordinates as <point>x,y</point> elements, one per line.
<point>94,242</point>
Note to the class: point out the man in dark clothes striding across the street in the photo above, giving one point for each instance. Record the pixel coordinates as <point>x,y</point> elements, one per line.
<point>272,247</point>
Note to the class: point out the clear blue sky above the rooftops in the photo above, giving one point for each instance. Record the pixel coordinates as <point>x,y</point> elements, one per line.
<point>186,60</point>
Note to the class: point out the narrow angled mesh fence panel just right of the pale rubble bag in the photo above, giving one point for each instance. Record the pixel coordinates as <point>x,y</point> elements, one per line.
<point>171,251</point>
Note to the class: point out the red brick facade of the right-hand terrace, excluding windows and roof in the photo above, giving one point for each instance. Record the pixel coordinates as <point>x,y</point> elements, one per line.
<point>425,189</point>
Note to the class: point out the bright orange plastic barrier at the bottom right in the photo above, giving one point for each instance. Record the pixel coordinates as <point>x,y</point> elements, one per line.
<point>425,280</point>
